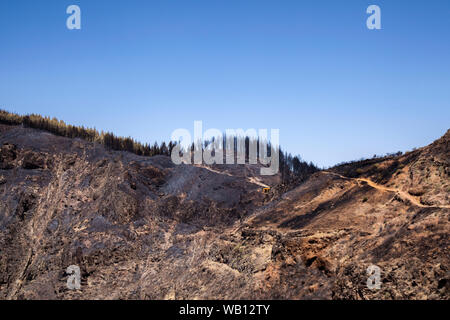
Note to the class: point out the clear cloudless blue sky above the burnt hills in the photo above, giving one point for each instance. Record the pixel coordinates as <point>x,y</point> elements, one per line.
<point>336,90</point>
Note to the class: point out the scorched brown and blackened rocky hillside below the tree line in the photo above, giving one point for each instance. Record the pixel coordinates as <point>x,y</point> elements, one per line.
<point>143,228</point>
